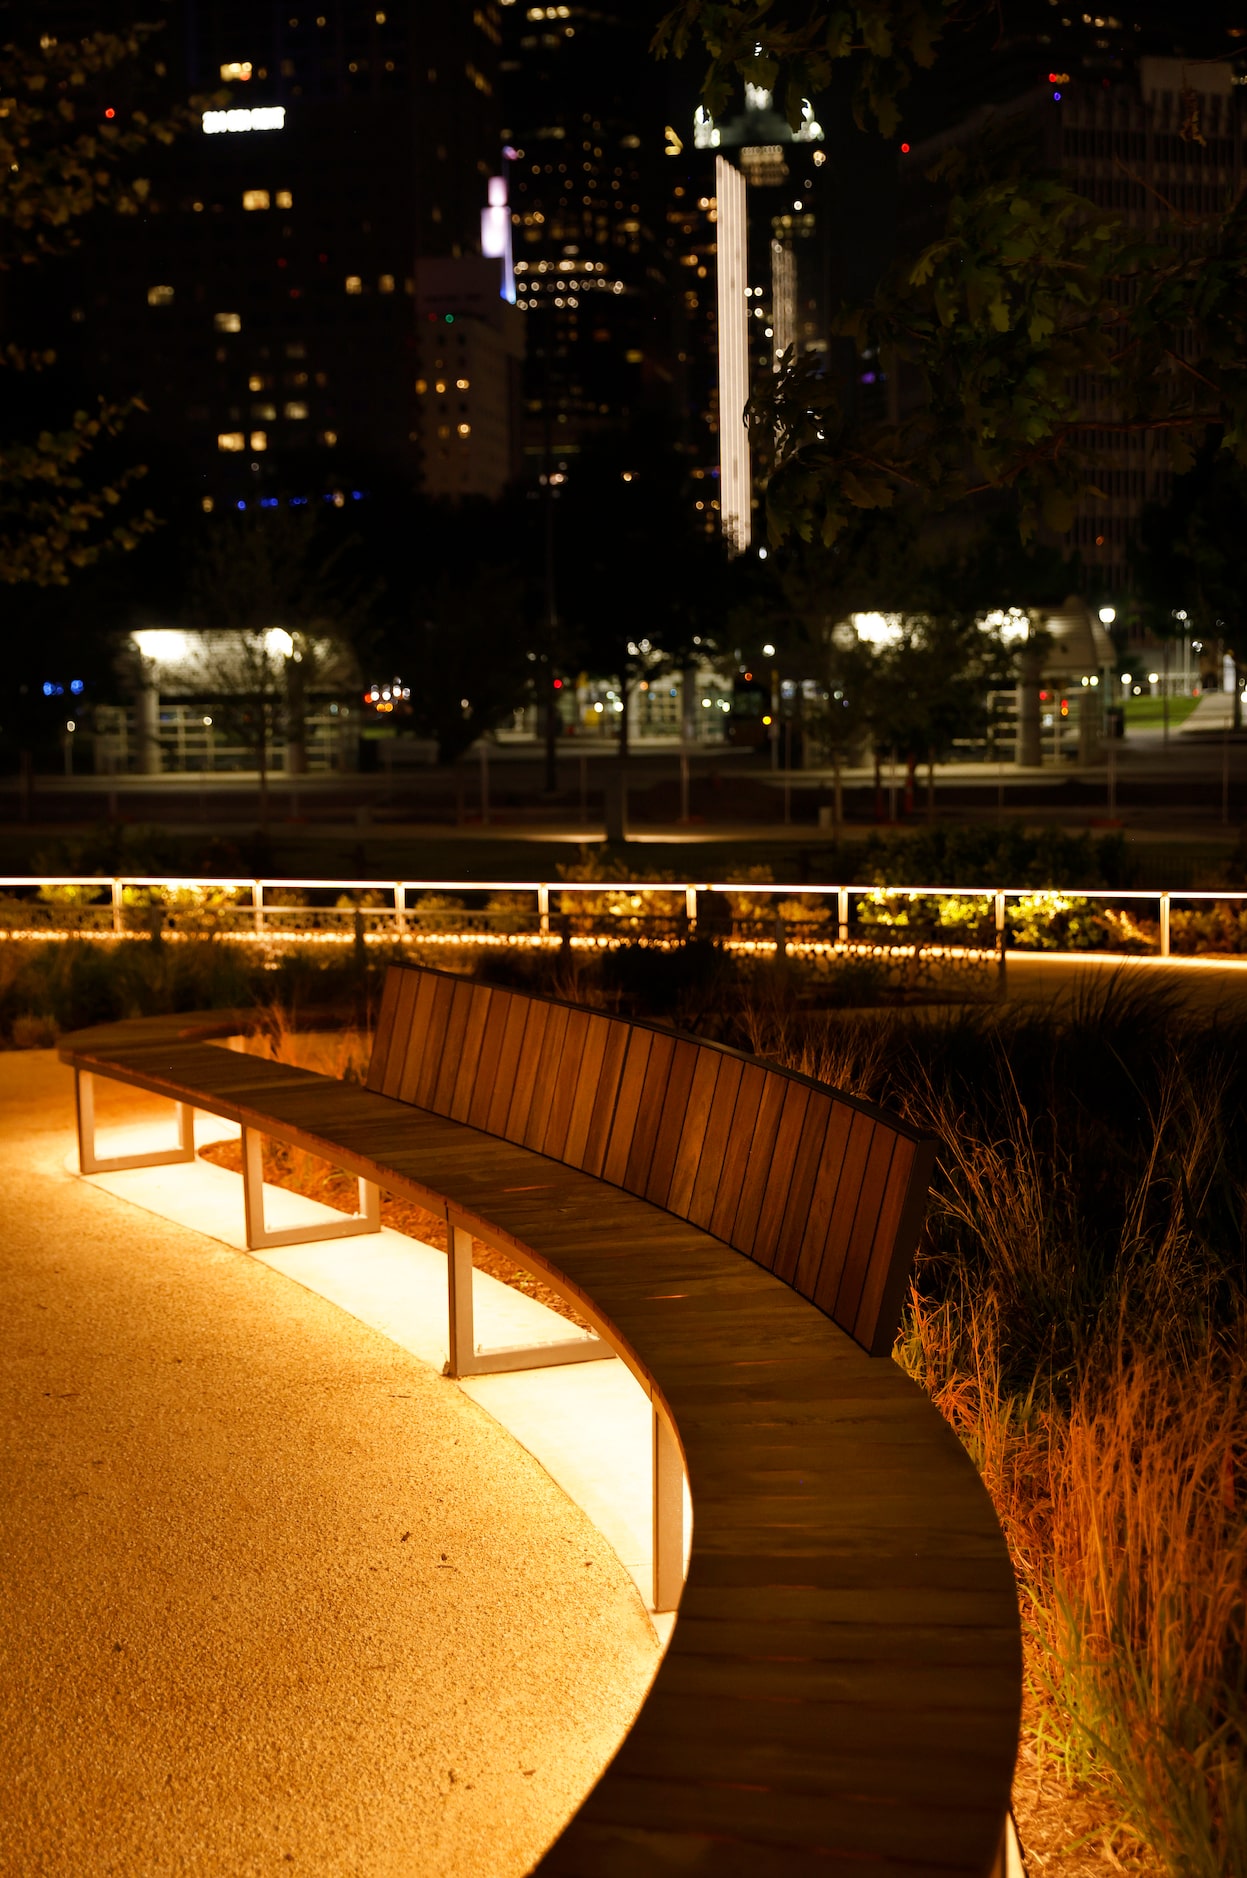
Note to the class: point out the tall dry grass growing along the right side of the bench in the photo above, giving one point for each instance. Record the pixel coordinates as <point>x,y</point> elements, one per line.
<point>1079,1317</point>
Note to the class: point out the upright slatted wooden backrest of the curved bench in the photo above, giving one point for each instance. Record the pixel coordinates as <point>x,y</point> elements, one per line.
<point>820,1188</point>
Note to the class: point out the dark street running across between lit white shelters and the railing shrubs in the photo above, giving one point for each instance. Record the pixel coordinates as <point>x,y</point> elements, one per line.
<point>1192,782</point>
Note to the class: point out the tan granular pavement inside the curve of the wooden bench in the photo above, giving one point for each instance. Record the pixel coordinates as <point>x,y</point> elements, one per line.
<point>273,1593</point>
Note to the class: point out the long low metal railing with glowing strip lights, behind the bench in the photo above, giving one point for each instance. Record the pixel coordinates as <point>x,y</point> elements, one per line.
<point>752,914</point>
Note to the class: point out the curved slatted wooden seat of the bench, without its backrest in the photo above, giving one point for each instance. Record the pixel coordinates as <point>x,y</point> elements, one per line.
<point>842,1689</point>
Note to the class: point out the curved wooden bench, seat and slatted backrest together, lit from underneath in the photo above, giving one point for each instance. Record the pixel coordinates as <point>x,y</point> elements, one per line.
<point>842,1687</point>
